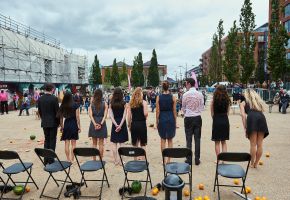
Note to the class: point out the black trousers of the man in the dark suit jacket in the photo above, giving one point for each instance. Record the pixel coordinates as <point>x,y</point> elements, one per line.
<point>50,141</point>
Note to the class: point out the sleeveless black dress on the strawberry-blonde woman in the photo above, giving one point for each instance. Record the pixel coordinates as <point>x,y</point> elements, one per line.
<point>138,126</point>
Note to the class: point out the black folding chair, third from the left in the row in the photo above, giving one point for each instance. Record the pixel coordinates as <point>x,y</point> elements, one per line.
<point>91,166</point>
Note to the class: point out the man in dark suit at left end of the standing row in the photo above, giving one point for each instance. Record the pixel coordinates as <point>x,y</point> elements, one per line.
<point>47,108</point>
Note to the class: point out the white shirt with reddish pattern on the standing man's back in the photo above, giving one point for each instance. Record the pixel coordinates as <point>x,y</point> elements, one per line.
<point>192,103</point>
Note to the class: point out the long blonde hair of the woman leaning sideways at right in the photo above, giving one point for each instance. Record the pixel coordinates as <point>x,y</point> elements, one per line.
<point>254,100</point>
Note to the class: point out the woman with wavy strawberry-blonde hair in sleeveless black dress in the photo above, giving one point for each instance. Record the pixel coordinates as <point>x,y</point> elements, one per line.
<point>137,115</point>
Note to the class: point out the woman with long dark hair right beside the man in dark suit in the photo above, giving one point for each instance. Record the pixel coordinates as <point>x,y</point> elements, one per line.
<point>70,127</point>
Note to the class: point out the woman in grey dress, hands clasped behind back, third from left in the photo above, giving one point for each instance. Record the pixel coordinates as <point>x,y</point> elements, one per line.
<point>98,128</point>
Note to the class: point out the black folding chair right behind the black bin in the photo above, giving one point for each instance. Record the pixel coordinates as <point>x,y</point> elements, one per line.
<point>178,168</point>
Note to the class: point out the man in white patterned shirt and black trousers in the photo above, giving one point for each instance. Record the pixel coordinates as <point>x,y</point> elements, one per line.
<point>192,105</point>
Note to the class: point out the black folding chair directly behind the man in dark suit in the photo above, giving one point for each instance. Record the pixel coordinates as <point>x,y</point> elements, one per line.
<point>57,166</point>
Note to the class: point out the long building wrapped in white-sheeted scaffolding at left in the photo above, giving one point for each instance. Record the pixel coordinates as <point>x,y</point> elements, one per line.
<point>27,55</point>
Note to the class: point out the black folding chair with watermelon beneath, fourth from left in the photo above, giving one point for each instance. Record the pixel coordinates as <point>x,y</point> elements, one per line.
<point>134,166</point>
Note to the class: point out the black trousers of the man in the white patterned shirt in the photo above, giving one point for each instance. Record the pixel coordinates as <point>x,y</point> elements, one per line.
<point>193,126</point>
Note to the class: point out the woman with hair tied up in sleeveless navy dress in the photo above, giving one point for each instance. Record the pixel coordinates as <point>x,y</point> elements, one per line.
<point>166,117</point>
